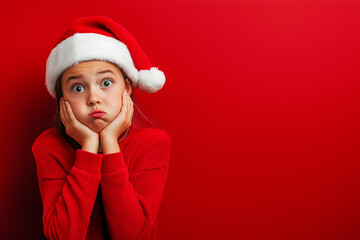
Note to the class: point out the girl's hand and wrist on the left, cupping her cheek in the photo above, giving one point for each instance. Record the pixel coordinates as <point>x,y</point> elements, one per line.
<point>87,138</point>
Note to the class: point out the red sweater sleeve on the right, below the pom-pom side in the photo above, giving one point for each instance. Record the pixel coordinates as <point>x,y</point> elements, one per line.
<point>131,201</point>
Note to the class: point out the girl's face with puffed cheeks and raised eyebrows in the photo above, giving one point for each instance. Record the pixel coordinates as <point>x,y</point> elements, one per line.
<point>94,85</point>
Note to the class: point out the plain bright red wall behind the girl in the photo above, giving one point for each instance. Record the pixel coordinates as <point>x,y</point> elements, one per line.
<point>261,100</point>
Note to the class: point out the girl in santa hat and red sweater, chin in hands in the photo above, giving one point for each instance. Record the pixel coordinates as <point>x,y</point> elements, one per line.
<point>101,174</point>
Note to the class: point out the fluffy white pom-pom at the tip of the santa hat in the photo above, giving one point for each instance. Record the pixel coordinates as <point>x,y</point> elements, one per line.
<point>152,80</point>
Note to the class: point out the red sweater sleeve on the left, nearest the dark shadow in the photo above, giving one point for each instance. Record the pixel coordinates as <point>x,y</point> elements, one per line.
<point>68,199</point>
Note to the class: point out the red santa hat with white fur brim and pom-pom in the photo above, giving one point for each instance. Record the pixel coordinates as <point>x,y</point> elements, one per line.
<point>101,38</point>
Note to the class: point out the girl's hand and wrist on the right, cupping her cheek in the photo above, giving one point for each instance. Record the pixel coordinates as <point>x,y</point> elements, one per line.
<point>110,134</point>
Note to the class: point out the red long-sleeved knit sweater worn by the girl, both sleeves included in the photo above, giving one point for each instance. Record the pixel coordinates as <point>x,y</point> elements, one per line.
<point>98,196</point>
